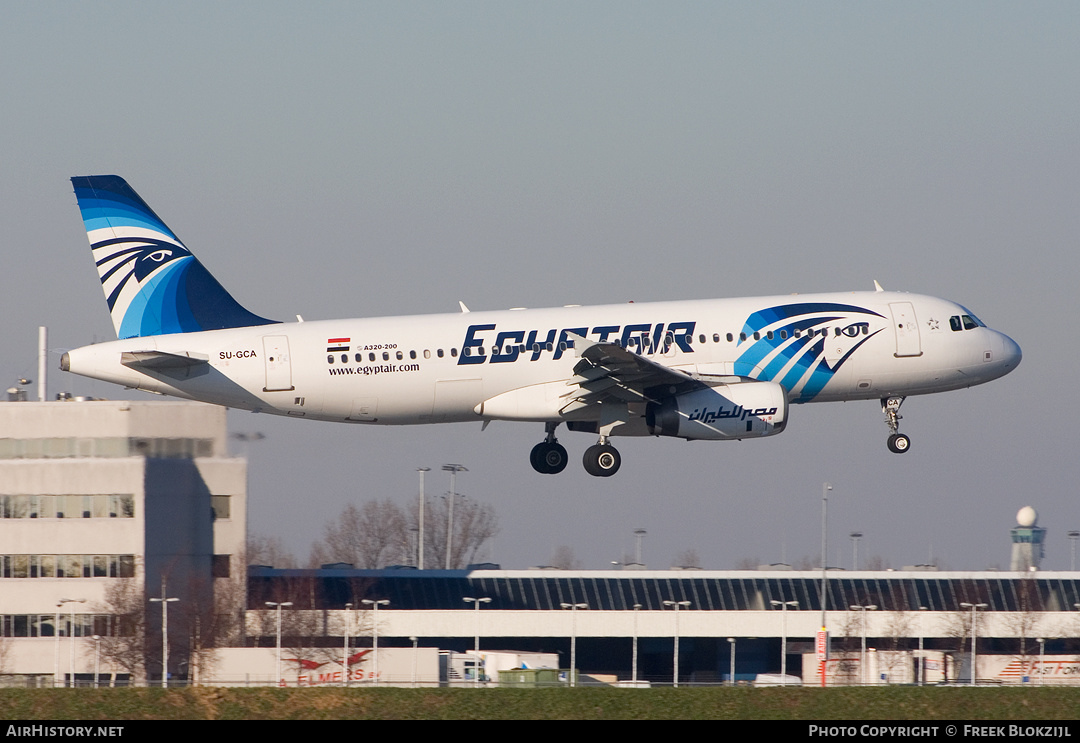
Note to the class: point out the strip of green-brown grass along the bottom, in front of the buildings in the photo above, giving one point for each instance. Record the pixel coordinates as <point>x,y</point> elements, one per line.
<point>892,704</point>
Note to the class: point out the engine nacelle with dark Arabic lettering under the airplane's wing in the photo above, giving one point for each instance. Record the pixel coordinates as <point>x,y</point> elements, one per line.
<point>741,411</point>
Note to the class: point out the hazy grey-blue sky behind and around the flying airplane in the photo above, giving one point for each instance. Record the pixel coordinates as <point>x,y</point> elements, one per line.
<point>354,159</point>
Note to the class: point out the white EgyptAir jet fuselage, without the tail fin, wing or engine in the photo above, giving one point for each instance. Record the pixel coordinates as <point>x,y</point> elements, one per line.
<point>518,364</point>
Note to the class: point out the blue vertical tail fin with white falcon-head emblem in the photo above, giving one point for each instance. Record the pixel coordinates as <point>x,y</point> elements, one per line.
<point>153,283</point>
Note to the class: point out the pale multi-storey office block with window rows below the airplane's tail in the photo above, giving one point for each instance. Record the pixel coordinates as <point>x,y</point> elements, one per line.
<point>102,505</point>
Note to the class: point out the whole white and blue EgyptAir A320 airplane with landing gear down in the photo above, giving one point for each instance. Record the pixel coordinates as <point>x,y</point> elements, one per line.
<point>709,370</point>
